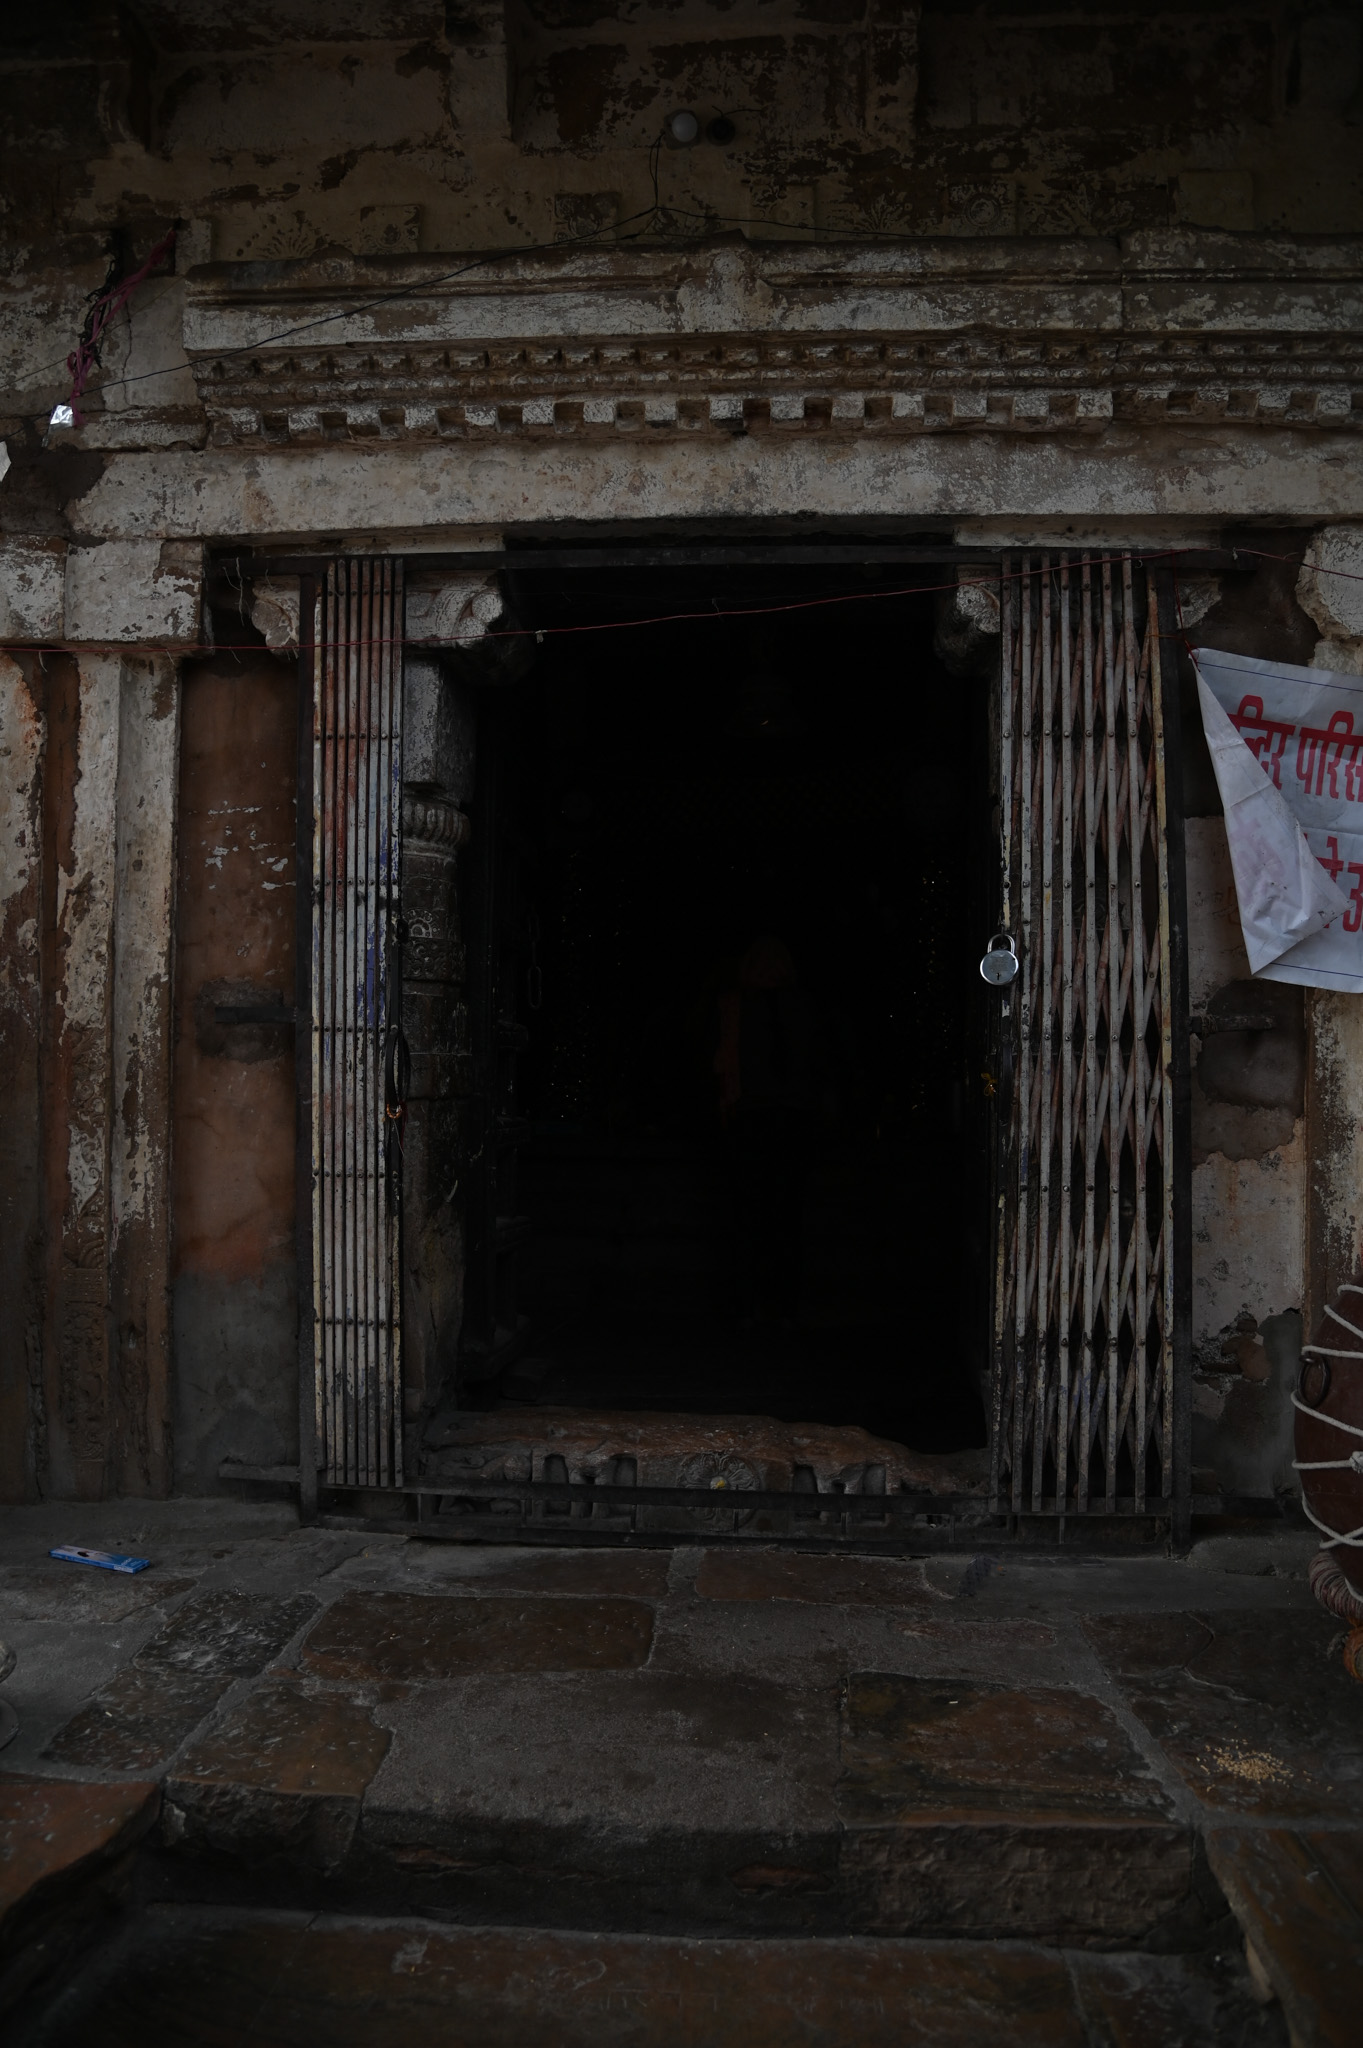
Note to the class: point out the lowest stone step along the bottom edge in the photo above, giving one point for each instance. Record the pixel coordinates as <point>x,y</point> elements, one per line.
<point>204,1977</point>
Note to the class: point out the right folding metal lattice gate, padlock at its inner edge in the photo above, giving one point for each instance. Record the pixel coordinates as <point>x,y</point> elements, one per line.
<point>1084,1398</point>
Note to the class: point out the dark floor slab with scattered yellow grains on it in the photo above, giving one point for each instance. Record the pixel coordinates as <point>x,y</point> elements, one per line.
<point>1258,1715</point>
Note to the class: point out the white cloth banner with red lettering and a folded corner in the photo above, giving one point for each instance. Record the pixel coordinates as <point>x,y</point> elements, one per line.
<point>1290,767</point>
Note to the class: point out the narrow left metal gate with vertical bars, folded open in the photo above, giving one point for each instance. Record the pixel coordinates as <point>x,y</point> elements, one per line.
<point>355,1023</point>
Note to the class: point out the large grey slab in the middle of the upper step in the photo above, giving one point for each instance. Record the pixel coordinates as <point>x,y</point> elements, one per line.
<point>609,1799</point>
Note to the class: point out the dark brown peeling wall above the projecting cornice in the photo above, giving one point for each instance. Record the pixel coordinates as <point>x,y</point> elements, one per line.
<point>419,126</point>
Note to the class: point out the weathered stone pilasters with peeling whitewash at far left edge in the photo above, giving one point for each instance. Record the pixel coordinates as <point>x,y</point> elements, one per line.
<point>91,744</point>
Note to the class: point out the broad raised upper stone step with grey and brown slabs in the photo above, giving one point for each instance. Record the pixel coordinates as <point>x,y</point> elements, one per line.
<point>527,1760</point>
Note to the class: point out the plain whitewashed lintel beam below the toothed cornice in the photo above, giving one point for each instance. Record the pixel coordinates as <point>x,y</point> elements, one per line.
<point>402,493</point>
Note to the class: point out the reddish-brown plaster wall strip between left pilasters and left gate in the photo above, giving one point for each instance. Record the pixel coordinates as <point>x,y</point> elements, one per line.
<point>234,1105</point>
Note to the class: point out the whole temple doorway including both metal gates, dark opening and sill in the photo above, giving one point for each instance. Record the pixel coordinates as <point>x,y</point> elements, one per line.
<point>689,1097</point>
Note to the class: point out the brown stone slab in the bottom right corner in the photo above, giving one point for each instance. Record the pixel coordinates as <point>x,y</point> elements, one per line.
<point>1301,1900</point>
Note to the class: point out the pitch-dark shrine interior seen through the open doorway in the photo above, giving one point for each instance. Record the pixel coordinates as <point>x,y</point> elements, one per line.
<point>736,904</point>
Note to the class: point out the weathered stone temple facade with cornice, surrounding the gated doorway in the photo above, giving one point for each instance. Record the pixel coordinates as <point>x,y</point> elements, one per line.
<point>1071,278</point>
